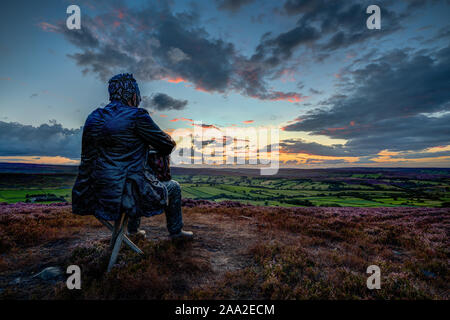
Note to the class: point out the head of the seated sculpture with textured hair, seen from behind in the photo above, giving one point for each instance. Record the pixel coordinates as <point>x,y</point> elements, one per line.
<point>124,88</point>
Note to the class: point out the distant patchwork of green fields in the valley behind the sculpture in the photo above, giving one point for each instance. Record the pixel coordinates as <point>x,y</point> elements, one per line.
<point>356,191</point>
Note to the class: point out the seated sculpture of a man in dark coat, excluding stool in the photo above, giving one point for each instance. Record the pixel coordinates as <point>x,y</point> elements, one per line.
<point>114,175</point>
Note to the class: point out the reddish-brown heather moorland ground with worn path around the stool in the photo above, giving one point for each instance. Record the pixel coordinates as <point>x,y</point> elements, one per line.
<point>239,252</point>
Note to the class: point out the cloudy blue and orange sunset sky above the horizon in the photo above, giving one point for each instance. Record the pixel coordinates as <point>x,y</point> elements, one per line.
<point>341,94</point>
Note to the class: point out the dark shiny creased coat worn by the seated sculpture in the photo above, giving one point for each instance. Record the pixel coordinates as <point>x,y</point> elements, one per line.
<point>113,166</point>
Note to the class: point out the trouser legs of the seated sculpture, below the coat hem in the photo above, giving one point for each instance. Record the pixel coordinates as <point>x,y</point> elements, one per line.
<point>174,216</point>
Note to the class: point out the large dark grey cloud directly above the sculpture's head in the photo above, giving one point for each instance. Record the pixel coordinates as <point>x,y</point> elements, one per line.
<point>154,45</point>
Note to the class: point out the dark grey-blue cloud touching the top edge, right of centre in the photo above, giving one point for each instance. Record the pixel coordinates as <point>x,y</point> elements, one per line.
<point>325,26</point>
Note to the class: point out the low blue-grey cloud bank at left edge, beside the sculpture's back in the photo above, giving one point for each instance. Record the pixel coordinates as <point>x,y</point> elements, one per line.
<point>46,140</point>
